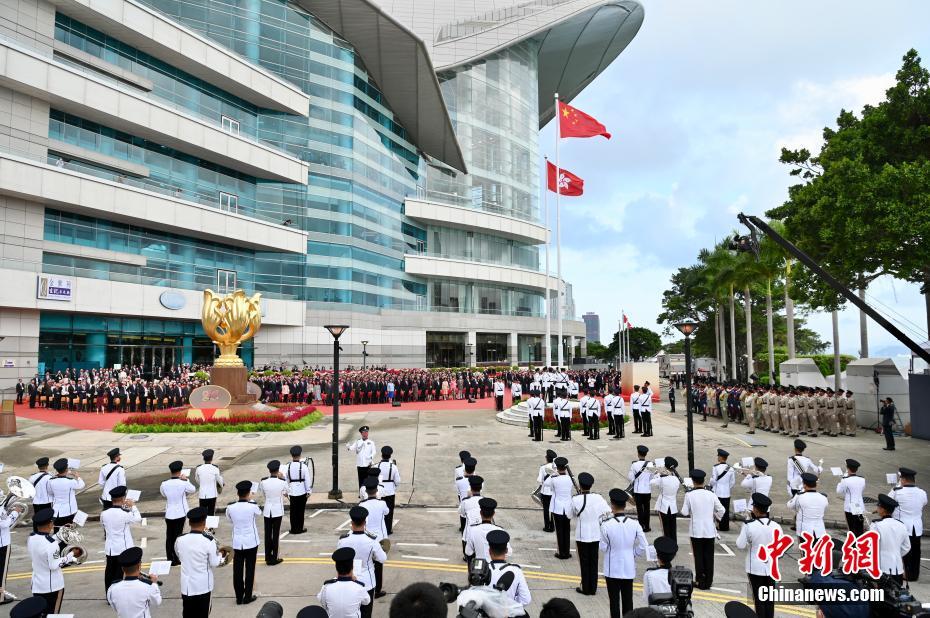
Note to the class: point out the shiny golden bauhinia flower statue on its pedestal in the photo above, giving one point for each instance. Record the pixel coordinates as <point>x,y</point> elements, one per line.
<point>229,321</point>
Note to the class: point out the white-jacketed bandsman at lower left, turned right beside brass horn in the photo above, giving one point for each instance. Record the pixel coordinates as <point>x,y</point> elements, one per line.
<point>48,581</point>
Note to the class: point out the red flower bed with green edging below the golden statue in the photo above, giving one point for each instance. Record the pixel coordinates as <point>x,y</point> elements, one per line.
<point>286,419</point>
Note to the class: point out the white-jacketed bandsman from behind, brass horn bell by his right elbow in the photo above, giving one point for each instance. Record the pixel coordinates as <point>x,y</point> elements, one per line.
<point>199,555</point>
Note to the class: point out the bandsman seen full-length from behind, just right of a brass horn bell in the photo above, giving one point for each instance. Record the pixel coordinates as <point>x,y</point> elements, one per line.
<point>242,514</point>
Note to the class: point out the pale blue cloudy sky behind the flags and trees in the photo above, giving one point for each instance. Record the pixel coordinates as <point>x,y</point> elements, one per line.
<point>700,105</point>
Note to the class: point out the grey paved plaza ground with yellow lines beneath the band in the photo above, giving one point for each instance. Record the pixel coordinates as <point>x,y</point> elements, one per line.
<point>426,539</point>
